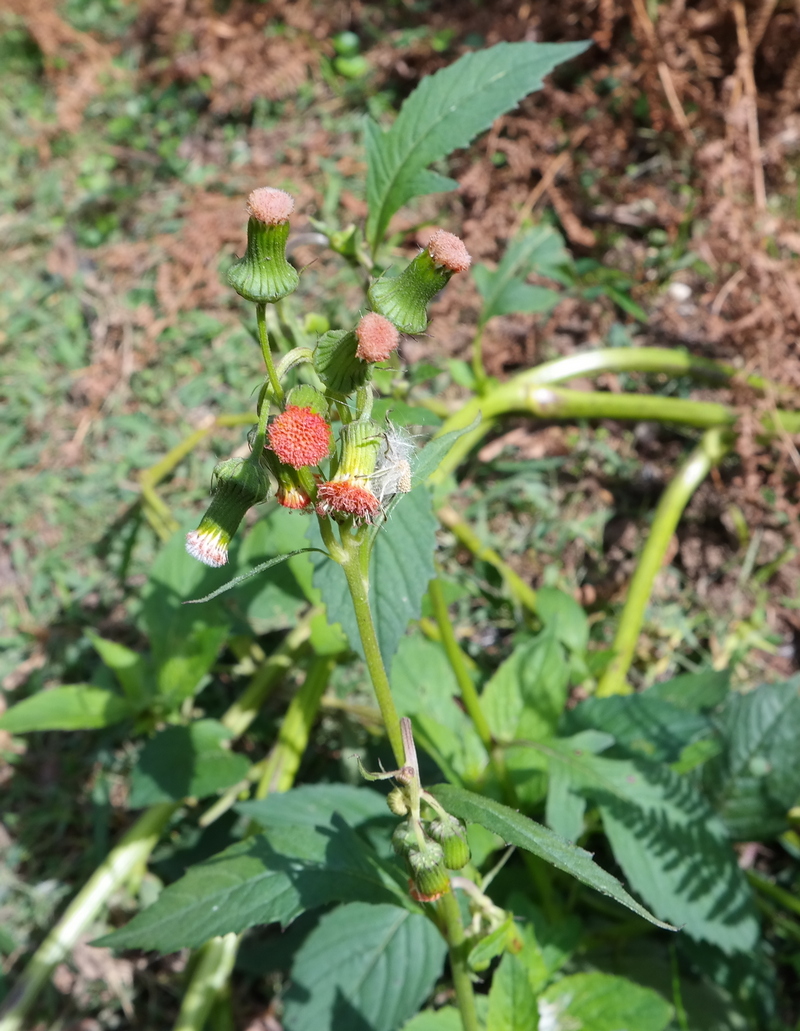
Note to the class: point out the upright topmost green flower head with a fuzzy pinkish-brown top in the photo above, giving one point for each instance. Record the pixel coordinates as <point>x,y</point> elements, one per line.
<point>263,275</point>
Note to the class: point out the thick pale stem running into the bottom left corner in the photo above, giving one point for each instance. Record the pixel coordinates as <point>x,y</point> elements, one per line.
<point>123,861</point>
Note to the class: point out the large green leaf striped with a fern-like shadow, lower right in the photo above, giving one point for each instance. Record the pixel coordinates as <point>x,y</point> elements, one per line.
<point>673,848</point>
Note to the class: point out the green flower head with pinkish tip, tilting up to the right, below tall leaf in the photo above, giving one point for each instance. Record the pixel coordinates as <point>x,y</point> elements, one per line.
<point>404,301</point>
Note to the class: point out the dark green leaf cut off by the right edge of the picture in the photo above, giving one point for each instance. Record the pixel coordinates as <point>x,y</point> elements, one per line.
<point>757,778</point>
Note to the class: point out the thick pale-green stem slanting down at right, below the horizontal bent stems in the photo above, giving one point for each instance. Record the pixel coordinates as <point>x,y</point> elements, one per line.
<point>715,445</point>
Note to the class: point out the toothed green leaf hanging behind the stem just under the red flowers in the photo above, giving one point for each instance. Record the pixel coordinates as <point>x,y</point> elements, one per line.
<point>401,570</point>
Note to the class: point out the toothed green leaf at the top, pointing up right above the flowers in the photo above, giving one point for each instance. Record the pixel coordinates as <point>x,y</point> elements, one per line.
<point>446,113</point>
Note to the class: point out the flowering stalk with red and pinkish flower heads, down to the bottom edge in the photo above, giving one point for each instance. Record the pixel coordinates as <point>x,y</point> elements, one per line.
<point>349,486</point>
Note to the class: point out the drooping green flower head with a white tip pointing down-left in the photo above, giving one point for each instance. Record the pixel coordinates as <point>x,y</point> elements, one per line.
<point>238,485</point>
